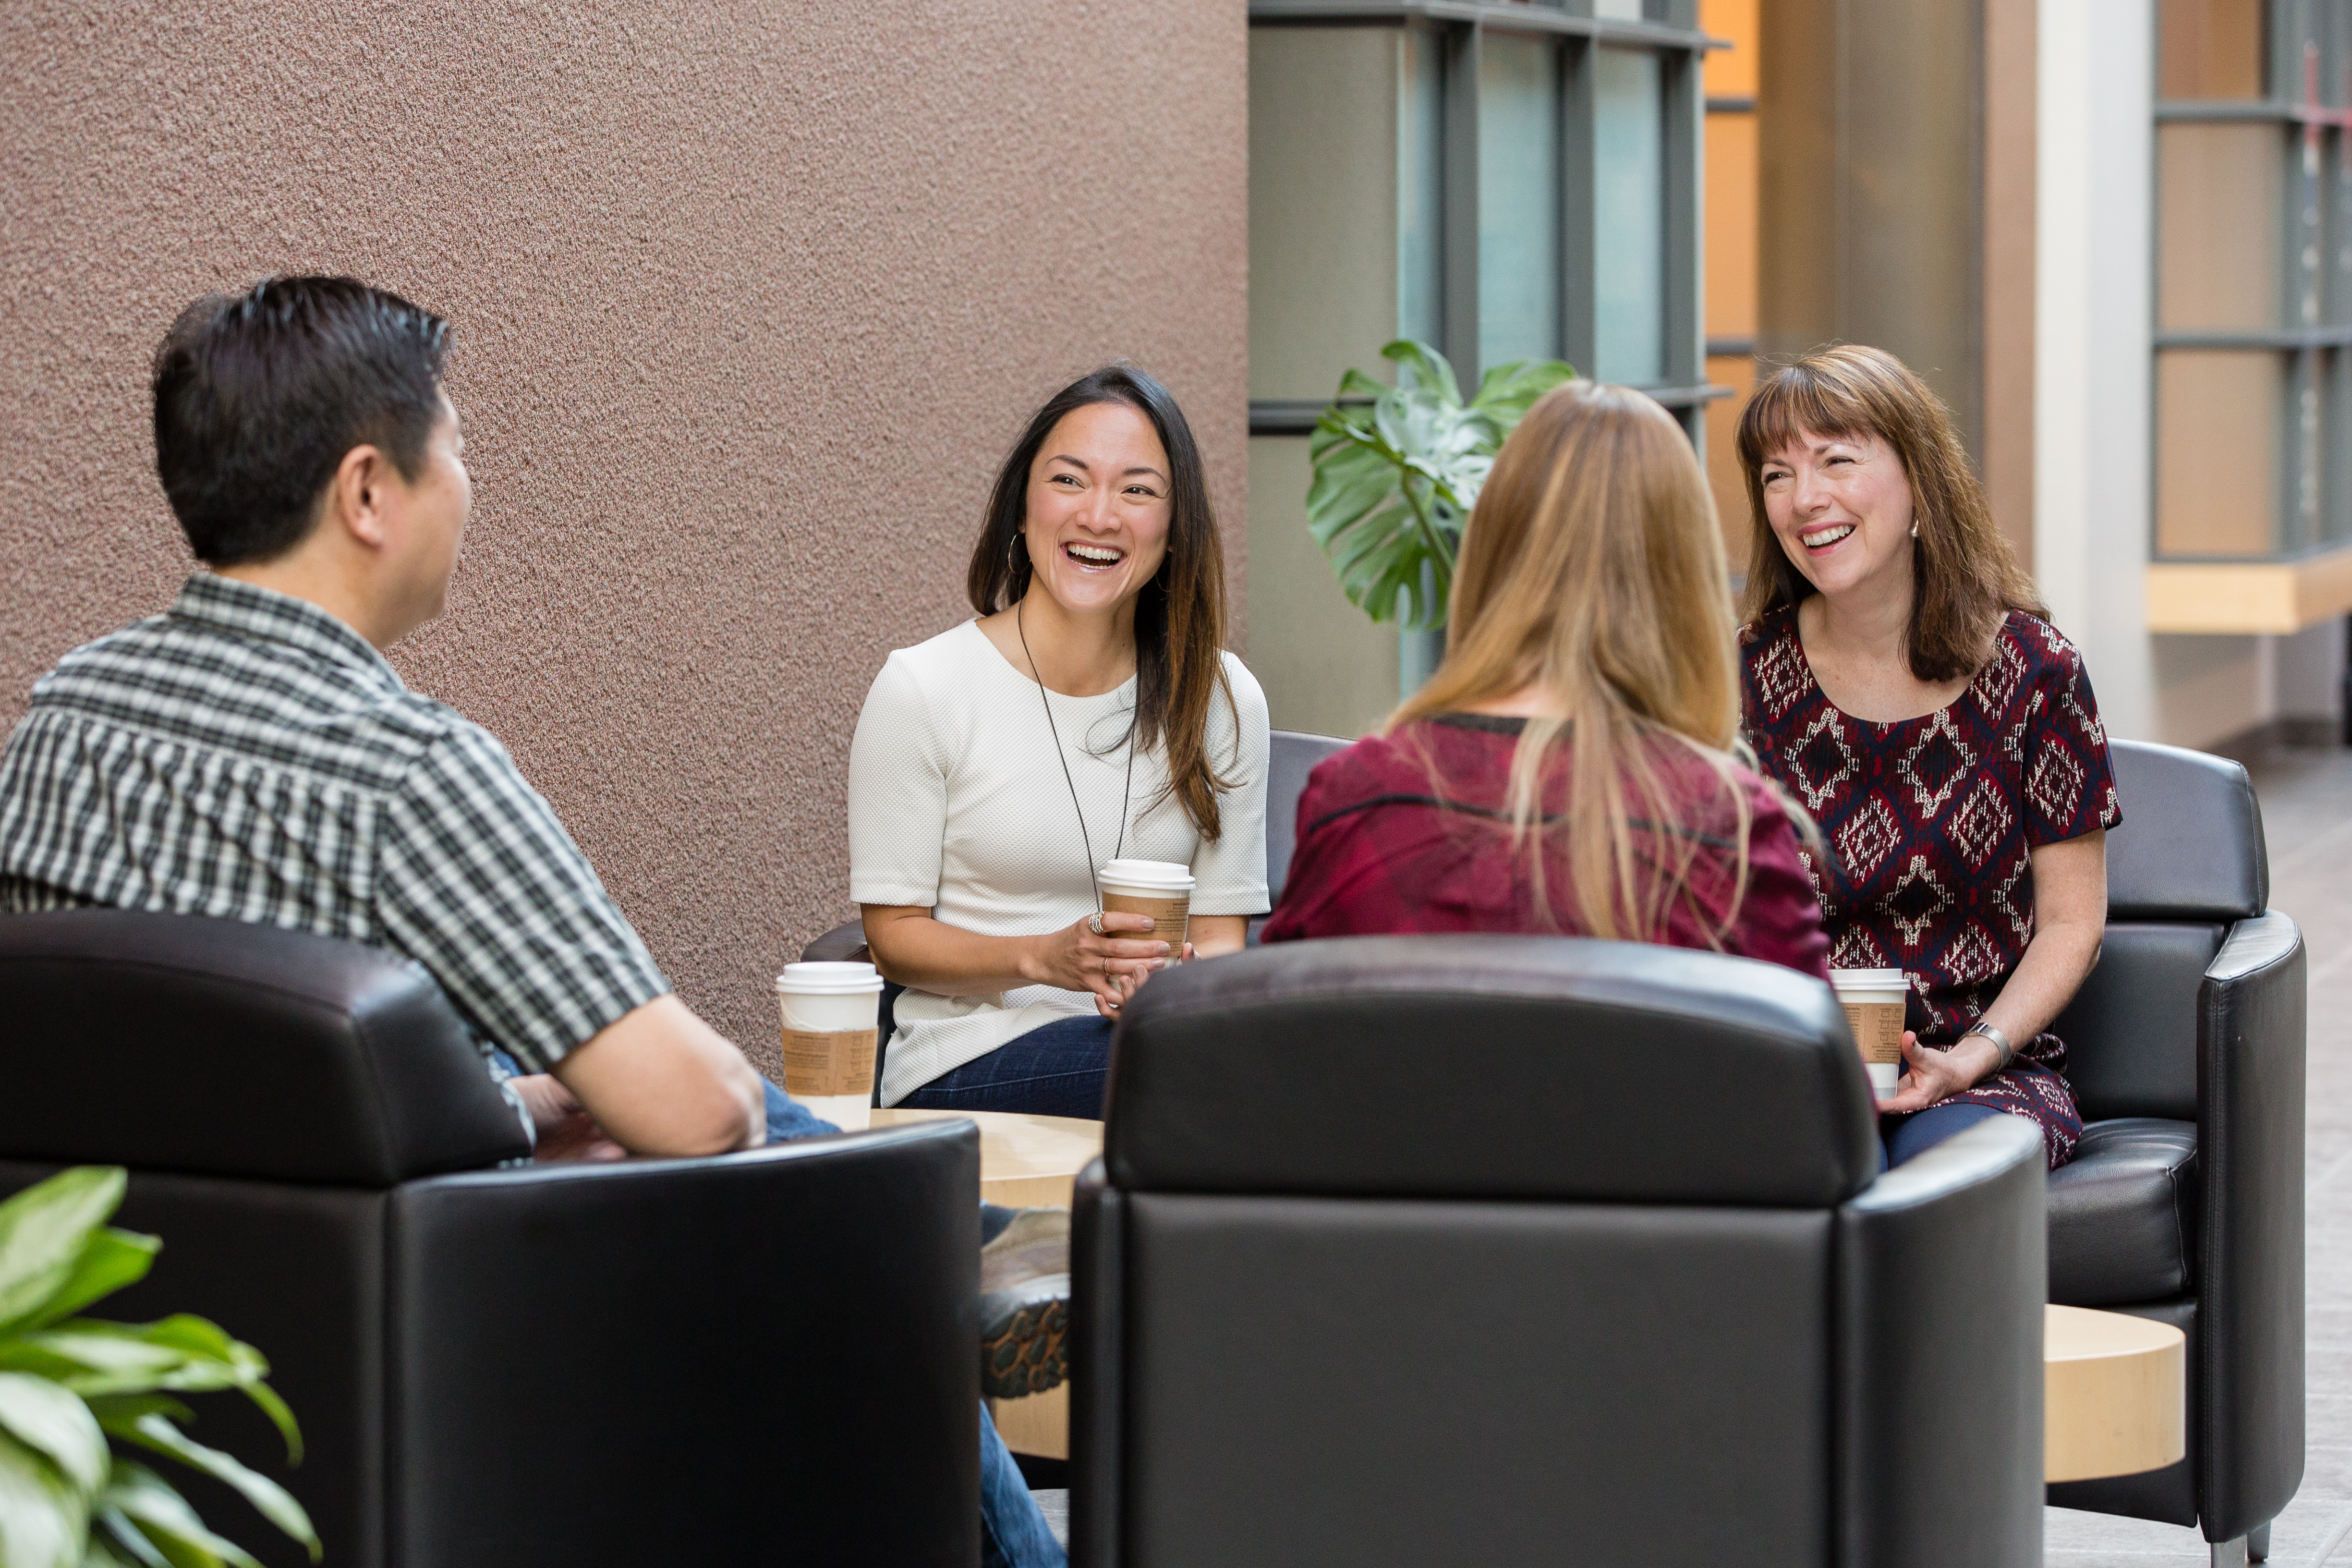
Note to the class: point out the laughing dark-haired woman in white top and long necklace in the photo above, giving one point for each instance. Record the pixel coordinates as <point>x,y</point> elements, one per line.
<point>1090,713</point>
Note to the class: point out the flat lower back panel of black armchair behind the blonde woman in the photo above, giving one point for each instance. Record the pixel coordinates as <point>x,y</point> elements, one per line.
<point>1476,1381</point>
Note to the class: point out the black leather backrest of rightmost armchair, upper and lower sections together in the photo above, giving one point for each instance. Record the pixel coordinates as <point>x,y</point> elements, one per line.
<point>2186,862</point>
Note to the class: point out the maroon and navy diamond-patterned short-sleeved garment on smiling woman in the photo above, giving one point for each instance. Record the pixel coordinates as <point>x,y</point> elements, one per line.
<point>1932,822</point>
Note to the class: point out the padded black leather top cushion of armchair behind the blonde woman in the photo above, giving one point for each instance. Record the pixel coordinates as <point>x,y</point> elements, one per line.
<point>1490,1068</point>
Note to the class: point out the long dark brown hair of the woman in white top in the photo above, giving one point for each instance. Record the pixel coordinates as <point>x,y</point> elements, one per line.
<point>1180,615</point>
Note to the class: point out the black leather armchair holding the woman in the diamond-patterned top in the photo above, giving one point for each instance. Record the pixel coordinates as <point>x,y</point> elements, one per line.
<point>2186,1195</point>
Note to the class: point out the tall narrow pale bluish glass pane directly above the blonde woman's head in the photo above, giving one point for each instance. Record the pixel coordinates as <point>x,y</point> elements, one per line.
<point>1629,217</point>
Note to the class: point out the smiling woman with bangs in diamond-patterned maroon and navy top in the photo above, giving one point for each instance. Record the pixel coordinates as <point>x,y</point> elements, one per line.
<point>1906,685</point>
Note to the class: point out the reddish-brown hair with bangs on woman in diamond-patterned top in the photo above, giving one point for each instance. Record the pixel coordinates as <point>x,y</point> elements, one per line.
<point>1965,579</point>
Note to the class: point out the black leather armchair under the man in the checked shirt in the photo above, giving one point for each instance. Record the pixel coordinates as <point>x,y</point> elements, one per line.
<point>759,1358</point>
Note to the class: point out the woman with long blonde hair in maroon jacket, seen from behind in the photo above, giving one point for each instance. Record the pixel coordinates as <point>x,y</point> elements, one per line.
<point>1570,768</point>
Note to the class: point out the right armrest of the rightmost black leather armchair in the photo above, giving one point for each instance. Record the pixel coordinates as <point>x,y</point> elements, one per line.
<point>2250,1292</point>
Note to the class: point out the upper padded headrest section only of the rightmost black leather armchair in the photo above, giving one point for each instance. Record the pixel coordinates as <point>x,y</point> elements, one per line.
<point>2191,845</point>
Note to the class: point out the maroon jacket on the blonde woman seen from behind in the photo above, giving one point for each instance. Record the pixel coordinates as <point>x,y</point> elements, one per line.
<point>1412,833</point>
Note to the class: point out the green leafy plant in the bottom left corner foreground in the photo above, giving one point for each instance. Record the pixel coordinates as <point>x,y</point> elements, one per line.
<point>72,1383</point>
